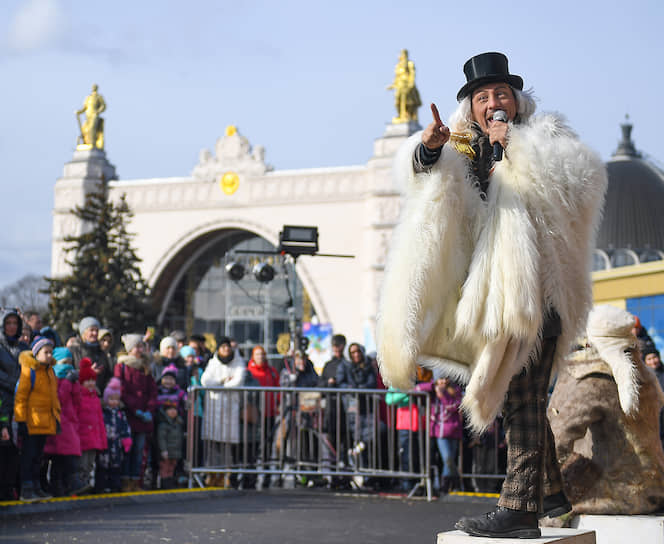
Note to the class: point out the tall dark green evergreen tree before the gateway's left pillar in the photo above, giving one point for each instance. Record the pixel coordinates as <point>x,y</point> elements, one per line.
<point>105,280</point>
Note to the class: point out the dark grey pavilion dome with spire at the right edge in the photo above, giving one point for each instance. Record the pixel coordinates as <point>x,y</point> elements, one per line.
<point>632,227</point>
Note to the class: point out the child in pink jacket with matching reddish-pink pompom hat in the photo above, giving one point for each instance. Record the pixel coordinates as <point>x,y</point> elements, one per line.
<point>91,428</point>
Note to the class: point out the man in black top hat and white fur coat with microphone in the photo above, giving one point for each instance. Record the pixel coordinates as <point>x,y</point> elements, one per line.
<point>488,277</point>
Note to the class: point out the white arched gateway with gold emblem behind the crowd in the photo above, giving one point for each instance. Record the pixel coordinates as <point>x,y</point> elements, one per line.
<point>185,228</point>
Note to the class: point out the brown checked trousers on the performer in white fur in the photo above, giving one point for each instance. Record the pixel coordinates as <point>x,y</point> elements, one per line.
<point>532,467</point>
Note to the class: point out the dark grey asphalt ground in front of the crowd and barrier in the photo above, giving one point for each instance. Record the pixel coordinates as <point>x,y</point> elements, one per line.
<point>196,516</point>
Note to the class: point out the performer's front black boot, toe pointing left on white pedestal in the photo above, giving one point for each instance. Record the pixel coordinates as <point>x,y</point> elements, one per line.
<point>502,523</point>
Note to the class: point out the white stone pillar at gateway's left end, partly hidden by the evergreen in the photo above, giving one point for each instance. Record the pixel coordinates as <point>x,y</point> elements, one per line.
<point>84,173</point>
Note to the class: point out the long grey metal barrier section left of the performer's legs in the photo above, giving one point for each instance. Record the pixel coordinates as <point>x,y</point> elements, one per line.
<point>271,436</point>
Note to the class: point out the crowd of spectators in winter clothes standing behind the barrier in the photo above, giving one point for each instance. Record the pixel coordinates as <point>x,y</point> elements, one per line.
<point>77,416</point>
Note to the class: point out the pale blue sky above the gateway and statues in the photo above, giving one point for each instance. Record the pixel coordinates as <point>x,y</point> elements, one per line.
<point>304,79</point>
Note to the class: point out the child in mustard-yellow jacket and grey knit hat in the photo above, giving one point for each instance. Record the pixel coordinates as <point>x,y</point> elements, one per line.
<point>37,412</point>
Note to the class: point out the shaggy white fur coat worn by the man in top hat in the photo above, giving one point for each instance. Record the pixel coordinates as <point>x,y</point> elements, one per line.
<point>467,281</point>
